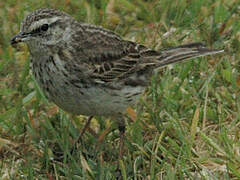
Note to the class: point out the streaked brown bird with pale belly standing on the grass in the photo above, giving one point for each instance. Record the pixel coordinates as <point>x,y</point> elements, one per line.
<point>88,70</point>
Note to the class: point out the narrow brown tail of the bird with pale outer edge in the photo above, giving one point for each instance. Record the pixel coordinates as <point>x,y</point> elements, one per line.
<point>183,52</point>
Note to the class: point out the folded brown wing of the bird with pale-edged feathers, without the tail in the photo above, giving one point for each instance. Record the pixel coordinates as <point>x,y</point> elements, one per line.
<point>109,56</point>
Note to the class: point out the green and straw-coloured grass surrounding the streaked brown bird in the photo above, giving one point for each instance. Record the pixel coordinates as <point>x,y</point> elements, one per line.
<point>186,126</point>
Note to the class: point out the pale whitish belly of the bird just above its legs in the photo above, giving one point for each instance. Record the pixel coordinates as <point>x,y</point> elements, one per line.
<point>93,100</point>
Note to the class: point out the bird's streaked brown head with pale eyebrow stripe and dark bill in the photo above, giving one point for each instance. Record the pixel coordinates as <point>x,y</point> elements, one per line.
<point>44,27</point>
